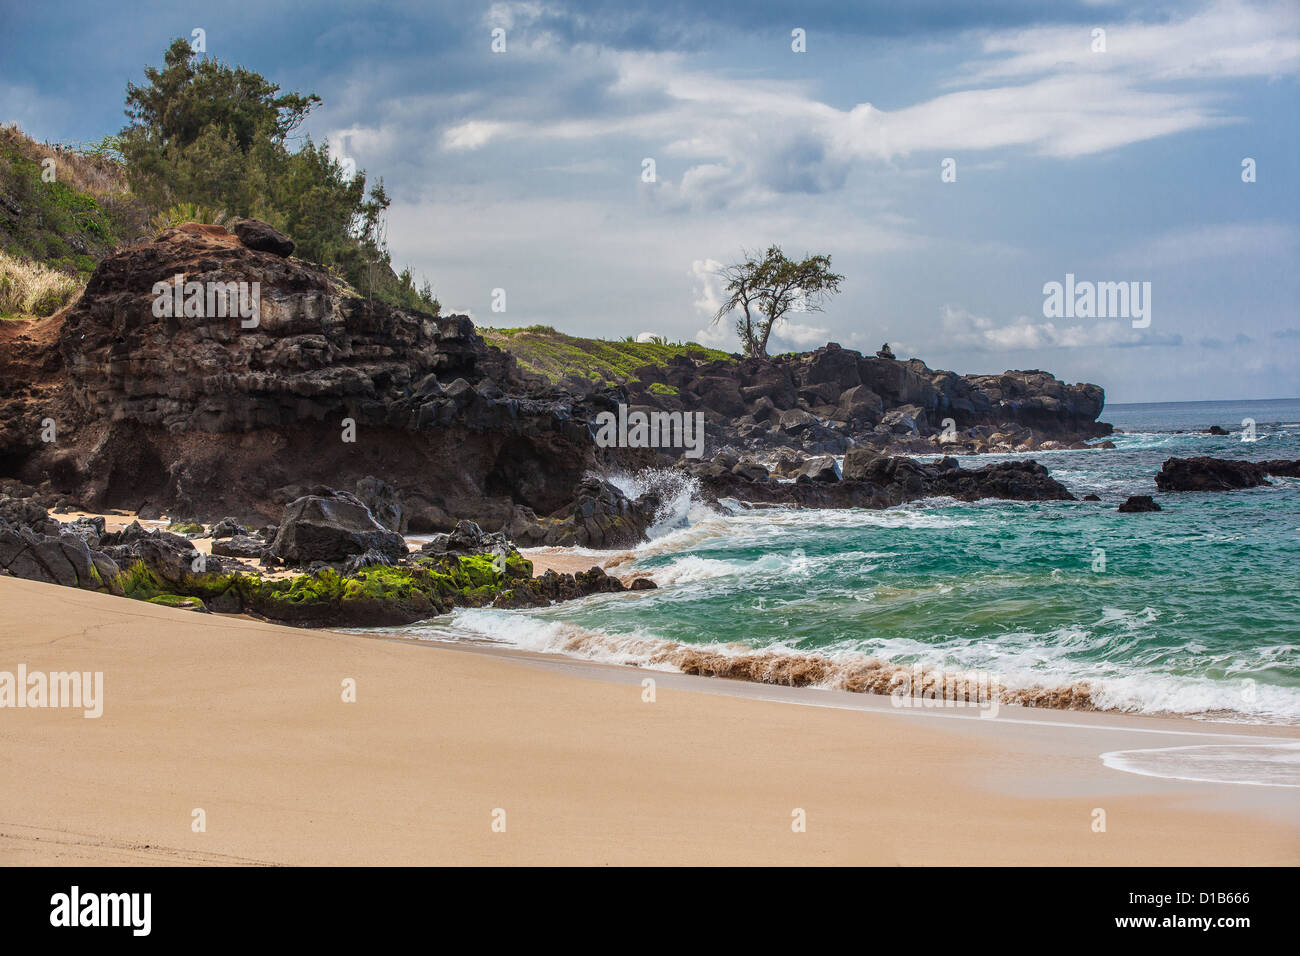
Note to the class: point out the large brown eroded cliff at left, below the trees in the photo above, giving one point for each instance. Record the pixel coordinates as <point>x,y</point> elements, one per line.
<point>215,416</point>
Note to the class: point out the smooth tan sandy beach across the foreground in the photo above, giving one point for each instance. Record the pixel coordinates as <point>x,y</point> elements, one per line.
<point>245,720</point>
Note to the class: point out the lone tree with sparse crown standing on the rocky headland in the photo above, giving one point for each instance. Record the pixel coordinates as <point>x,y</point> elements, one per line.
<point>766,289</point>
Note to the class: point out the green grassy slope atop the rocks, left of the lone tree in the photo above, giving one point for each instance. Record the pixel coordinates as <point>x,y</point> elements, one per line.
<point>556,356</point>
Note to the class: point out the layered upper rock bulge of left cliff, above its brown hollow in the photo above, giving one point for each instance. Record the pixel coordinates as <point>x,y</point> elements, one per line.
<point>313,352</point>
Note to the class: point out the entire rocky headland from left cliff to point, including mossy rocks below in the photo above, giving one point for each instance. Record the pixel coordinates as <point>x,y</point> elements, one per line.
<point>323,429</point>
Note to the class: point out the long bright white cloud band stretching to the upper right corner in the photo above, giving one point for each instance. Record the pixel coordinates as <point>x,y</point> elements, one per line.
<point>747,140</point>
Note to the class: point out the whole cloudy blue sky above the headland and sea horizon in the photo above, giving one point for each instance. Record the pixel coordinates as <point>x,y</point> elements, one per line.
<point>522,171</point>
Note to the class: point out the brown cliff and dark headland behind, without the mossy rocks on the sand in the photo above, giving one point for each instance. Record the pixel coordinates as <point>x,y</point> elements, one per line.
<point>163,395</point>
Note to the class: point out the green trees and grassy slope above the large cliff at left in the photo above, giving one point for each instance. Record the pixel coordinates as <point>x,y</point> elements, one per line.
<point>209,144</point>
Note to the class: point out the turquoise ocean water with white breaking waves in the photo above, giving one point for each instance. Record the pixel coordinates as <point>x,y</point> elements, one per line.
<point>1194,611</point>
